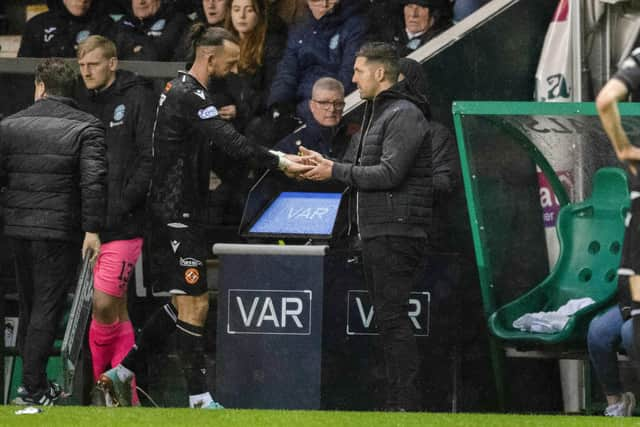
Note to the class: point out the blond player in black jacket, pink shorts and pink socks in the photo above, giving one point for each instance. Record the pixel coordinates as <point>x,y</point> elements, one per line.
<point>125,103</point>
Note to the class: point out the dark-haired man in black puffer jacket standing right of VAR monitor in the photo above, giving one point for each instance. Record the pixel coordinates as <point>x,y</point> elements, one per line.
<point>388,164</point>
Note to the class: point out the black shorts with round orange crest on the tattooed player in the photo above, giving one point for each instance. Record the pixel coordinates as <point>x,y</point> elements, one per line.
<point>179,252</point>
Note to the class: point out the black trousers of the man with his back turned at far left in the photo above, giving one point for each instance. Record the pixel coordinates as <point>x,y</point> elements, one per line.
<point>45,272</point>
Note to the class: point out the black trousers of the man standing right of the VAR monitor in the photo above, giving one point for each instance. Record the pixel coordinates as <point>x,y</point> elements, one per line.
<point>391,267</point>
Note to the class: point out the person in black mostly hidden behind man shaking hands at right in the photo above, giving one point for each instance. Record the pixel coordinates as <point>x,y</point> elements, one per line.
<point>445,162</point>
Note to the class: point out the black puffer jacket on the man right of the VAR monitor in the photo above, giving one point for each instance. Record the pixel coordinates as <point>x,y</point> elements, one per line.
<point>388,163</point>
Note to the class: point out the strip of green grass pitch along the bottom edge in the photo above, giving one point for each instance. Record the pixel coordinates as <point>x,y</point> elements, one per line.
<point>122,417</point>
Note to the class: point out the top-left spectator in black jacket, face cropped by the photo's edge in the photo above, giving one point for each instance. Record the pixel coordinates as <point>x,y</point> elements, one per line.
<point>58,32</point>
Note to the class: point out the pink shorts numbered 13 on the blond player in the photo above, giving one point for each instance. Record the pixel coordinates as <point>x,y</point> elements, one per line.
<point>115,264</point>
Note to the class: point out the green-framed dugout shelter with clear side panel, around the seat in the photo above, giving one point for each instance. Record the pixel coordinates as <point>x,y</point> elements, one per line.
<point>521,162</point>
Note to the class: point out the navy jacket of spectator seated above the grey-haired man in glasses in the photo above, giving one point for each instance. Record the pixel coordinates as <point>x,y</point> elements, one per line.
<point>319,48</point>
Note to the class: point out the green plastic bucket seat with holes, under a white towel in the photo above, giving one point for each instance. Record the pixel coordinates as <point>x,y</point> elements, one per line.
<point>590,235</point>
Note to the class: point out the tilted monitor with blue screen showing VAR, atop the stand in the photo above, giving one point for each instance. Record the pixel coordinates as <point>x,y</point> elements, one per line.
<point>298,214</point>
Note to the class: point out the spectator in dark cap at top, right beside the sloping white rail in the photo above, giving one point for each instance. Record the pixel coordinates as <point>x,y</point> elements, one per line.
<point>421,21</point>
